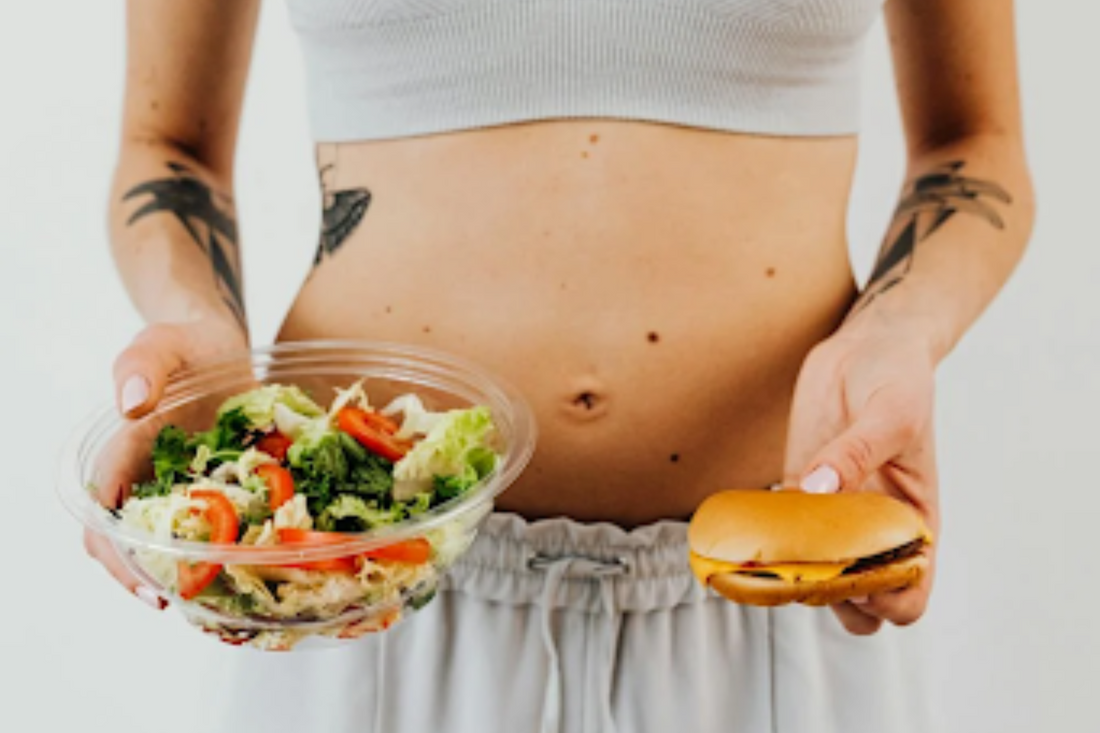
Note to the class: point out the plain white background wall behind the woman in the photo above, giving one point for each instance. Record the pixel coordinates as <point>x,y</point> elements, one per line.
<point>1016,620</point>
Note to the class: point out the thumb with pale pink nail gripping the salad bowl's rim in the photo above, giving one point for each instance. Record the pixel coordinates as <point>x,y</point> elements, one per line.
<point>142,370</point>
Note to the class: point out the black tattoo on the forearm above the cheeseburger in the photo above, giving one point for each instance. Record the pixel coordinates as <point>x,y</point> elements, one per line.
<point>932,200</point>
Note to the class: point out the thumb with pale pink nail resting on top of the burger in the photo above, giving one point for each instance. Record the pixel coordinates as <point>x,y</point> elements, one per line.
<point>882,432</point>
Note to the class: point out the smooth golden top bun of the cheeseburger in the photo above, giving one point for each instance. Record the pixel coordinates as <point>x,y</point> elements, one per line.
<point>794,527</point>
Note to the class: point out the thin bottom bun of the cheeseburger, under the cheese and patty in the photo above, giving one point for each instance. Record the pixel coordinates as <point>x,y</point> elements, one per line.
<point>753,590</point>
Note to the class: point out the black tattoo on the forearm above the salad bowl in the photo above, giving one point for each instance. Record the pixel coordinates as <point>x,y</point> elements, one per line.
<point>207,216</point>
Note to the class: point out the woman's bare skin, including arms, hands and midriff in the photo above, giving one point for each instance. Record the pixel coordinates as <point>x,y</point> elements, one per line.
<point>676,304</point>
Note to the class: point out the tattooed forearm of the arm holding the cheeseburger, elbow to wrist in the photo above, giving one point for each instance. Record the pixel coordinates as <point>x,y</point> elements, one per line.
<point>961,227</point>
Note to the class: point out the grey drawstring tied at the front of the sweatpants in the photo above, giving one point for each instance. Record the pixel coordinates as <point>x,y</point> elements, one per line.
<point>557,570</point>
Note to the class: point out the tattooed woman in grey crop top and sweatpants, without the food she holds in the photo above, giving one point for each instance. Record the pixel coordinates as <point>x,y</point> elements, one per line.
<point>636,214</point>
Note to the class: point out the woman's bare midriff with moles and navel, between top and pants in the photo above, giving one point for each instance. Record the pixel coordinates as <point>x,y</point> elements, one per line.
<point>651,290</point>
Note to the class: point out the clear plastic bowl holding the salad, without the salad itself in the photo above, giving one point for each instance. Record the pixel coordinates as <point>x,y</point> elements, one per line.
<point>108,454</point>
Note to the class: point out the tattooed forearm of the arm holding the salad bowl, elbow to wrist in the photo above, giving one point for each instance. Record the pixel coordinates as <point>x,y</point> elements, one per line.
<point>174,236</point>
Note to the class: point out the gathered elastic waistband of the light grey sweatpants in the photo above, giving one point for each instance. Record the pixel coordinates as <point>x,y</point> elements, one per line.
<point>646,570</point>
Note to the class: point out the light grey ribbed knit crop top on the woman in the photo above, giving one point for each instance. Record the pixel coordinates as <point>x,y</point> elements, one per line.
<point>391,69</point>
